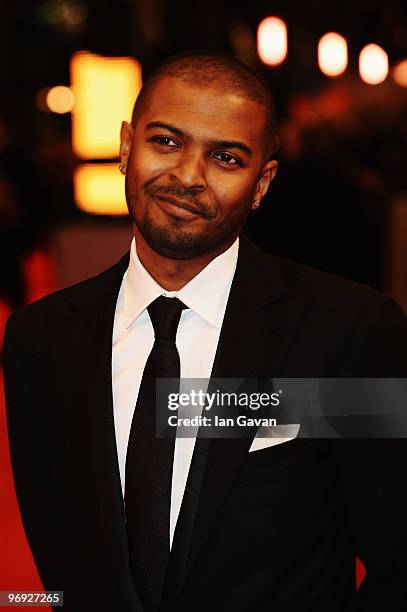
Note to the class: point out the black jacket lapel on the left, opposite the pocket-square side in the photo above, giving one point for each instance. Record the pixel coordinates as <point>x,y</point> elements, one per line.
<point>97,311</point>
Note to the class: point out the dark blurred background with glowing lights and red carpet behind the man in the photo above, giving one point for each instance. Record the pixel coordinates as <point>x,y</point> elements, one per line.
<point>70,73</point>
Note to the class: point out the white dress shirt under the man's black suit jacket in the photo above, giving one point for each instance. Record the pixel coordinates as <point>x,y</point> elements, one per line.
<point>197,339</point>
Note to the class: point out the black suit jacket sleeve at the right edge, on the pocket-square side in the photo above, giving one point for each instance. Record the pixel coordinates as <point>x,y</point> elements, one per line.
<point>373,470</point>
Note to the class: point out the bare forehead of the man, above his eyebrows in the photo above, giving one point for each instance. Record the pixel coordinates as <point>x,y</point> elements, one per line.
<point>205,112</point>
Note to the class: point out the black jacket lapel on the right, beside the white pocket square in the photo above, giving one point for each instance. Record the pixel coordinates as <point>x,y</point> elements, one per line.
<point>260,320</point>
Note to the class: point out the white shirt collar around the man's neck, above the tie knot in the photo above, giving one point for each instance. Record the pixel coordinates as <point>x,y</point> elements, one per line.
<point>206,294</point>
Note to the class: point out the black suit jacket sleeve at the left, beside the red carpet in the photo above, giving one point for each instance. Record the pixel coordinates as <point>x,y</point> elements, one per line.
<point>33,478</point>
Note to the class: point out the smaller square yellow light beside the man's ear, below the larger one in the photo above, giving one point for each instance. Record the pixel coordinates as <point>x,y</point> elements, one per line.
<point>99,189</point>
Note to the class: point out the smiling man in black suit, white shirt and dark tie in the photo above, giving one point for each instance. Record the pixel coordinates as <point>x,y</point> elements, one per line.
<point>120,520</point>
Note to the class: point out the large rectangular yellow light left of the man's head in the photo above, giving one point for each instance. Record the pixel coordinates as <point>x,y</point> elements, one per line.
<point>105,90</point>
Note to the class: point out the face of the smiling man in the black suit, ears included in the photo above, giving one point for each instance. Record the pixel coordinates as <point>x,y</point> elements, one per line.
<point>195,167</point>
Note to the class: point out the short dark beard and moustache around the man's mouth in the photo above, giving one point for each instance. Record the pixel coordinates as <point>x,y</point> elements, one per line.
<point>172,240</point>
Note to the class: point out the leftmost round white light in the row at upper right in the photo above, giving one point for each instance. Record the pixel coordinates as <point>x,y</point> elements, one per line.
<point>272,41</point>
